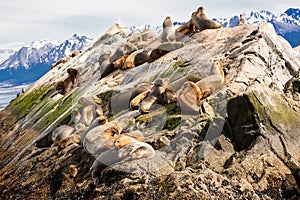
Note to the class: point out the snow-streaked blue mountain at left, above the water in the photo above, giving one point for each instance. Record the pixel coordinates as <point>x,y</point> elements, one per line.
<point>34,60</point>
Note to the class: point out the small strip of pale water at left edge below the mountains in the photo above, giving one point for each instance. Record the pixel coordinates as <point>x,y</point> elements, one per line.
<point>8,93</point>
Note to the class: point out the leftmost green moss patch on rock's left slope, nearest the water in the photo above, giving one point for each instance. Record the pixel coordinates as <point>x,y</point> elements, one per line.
<point>22,105</point>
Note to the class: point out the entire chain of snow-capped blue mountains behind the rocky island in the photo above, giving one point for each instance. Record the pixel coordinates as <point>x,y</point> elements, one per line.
<point>32,61</point>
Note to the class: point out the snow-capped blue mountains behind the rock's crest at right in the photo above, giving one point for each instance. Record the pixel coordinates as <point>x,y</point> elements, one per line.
<point>286,25</point>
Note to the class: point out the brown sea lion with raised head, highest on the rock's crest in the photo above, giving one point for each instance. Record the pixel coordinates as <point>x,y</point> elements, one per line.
<point>202,22</point>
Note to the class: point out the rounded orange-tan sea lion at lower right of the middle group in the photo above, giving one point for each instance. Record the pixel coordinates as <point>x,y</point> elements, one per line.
<point>189,97</point>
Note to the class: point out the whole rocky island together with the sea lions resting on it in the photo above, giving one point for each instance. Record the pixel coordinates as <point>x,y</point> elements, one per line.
<point>192,113</point>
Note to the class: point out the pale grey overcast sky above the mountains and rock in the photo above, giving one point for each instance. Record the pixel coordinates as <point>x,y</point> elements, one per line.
<point>24,21</point>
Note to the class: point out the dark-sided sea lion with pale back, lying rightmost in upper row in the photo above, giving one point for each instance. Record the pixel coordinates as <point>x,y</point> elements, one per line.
<point>163,49</point>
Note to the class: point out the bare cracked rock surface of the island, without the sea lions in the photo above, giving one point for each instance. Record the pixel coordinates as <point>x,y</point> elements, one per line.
<point>243,144</point>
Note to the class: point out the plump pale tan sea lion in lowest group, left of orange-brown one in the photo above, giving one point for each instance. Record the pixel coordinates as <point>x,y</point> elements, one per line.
<point>101,138</point>
